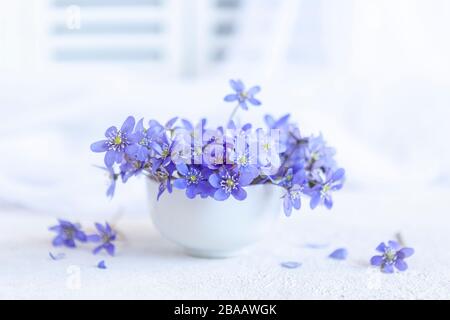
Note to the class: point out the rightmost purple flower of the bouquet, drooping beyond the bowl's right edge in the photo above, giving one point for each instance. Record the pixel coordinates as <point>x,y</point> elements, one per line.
<point>322,191</point>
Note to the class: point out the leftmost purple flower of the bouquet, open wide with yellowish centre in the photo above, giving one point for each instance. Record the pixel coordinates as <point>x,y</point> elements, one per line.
<point>117,142</point>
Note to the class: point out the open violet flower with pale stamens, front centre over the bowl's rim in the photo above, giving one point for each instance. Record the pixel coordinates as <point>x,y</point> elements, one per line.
<point>227,182</point>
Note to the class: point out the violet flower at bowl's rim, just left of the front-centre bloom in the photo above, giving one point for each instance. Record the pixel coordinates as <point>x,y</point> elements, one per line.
<point>193,180</point>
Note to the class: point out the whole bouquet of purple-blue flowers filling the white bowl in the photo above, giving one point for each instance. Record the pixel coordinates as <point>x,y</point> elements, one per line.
<point>222,162</point>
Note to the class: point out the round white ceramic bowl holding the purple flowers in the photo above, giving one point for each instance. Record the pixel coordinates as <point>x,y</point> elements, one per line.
<point>212,229</point>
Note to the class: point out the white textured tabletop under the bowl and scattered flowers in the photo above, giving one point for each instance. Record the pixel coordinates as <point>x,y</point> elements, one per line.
<point>149,267</point>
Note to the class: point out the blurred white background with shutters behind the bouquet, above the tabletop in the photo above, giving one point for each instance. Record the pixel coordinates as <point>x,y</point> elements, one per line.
<point>372,76</point>
